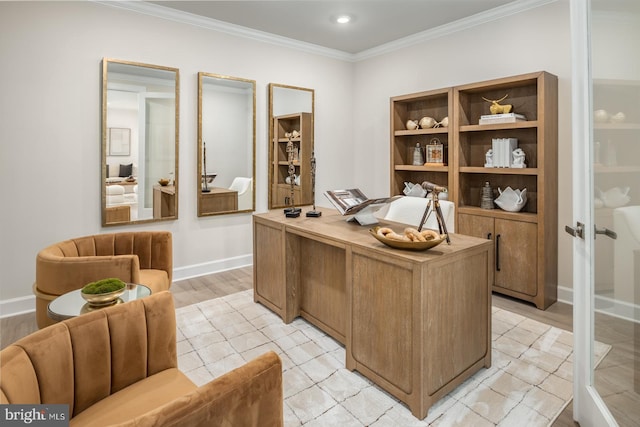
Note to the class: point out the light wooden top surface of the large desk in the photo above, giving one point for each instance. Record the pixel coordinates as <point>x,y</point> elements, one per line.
<point>333,227</point>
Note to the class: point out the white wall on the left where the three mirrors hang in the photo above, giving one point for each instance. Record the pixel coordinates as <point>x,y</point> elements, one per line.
<point>50,135</point>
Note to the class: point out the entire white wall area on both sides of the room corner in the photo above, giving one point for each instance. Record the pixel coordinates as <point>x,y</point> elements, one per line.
<point>50,109</point>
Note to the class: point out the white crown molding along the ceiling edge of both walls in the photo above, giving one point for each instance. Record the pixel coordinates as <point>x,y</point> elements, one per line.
<point>164,12</point>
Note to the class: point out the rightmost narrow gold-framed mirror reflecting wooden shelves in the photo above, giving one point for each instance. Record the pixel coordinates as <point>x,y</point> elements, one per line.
<point>291,145</point>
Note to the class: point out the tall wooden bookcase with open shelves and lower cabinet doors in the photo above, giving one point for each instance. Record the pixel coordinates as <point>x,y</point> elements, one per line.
<point>526,241</point>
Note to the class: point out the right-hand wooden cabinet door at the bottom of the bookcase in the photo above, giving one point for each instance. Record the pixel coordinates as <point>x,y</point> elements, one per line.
<point>516,256</point>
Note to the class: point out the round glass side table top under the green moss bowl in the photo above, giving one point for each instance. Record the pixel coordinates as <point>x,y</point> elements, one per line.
<point>72,304</point>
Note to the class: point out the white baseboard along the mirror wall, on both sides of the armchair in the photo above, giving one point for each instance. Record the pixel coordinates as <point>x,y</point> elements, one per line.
<point>23,305</point>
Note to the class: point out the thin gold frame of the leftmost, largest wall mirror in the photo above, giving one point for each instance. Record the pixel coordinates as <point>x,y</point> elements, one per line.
<point>105,130</point>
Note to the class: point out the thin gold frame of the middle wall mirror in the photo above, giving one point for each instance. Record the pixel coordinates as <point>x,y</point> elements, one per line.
<point>199,171</point>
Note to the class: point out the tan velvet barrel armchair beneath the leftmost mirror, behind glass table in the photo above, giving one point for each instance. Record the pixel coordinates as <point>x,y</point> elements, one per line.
<point>144,257</point>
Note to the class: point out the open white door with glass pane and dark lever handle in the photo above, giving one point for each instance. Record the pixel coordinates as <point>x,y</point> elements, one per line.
<point>606,203</point>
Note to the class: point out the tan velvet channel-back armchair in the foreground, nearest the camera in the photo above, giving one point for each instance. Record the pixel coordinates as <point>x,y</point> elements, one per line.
<point>118,367</point>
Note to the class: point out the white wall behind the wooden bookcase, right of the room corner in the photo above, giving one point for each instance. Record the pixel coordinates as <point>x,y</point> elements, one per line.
<point>535,40</point>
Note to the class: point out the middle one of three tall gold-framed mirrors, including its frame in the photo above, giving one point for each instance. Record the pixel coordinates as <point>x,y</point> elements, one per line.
<point>226,144</point>
